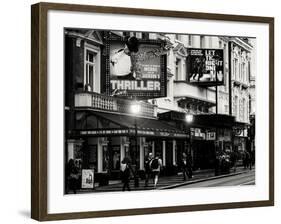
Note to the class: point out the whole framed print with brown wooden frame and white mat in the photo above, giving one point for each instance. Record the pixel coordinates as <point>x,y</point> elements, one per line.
<point>138,111</point>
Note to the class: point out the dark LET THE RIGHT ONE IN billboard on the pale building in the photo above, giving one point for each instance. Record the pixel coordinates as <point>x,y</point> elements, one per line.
<point>206,66</point>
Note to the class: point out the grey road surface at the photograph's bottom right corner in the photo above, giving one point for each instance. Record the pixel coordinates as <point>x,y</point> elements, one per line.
<point>237,180</point>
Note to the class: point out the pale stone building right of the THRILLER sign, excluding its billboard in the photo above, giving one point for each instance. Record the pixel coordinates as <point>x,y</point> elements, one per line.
<point>189,98</point>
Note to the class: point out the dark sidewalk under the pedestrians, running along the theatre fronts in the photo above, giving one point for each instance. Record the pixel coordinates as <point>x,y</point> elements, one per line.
<point>165,182</point>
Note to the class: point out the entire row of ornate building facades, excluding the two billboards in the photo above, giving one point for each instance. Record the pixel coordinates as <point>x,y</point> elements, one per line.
<point>101,130</point>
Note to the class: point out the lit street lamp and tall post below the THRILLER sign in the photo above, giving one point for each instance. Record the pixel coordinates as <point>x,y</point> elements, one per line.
<point>135,109</point>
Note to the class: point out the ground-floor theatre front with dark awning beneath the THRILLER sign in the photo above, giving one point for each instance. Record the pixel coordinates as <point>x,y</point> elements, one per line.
<point>102,140</point>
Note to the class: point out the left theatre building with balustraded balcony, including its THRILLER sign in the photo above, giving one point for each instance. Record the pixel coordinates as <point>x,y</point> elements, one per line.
<point>101,126</point>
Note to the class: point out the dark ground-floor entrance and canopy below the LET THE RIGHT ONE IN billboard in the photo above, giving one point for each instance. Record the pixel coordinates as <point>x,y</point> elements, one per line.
<point>212,135</point>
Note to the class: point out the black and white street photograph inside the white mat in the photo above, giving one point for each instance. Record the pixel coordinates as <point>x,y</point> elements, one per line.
<point>148,111</point>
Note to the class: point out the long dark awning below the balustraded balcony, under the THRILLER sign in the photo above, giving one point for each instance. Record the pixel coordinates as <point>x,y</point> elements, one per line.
<point>124,125</point>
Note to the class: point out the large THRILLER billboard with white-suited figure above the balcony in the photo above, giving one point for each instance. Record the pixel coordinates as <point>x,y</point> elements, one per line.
<point>138,72</point>
